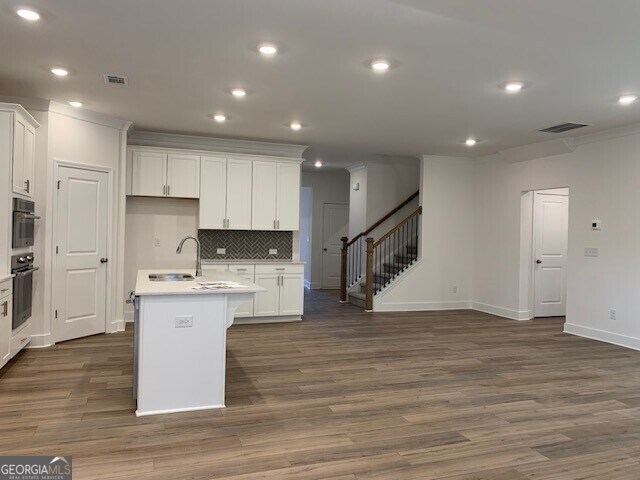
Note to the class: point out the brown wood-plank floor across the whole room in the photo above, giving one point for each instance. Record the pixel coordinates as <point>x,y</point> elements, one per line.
<point>345,395</point>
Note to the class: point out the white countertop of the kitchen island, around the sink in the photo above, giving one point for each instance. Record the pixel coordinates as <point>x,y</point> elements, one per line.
<point>144,286</point>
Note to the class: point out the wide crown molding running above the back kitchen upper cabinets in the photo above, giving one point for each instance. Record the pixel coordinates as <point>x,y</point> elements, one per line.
<point>213,144</point>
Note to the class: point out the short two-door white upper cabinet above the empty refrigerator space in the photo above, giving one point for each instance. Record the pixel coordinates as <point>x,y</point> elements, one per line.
<point>157,174</point>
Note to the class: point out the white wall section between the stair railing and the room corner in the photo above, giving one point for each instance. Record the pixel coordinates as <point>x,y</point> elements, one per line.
<point>446,241</point>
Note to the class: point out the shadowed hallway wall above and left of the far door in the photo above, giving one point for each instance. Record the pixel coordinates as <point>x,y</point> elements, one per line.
<point>331,186</point>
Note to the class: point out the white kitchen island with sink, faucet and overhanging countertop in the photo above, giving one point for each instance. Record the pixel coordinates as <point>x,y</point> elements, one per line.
<point>181,336</point>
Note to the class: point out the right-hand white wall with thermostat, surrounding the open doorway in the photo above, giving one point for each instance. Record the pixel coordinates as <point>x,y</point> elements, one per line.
<point>604,182</point>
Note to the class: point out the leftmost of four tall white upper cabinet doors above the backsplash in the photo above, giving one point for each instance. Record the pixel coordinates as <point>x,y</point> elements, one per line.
<point>213,193</point>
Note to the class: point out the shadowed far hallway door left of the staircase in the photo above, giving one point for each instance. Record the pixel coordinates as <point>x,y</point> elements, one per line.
<point>335,225</point>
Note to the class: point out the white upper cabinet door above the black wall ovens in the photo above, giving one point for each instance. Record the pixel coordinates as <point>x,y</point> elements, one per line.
<point>24,149</point>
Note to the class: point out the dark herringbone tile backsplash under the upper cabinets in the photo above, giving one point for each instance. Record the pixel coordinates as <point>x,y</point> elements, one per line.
<point>245,244</point>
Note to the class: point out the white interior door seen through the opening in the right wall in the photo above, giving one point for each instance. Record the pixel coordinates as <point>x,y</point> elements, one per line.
<point>550,234</point>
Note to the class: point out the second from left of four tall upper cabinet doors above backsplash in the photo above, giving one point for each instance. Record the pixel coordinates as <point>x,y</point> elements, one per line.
<point>239,194</point>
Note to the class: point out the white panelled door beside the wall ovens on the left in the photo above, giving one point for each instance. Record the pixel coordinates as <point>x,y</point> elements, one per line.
<point>80,275</point>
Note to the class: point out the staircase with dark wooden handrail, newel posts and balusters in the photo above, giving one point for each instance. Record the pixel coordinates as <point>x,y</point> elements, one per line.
<point>368,266</point>
